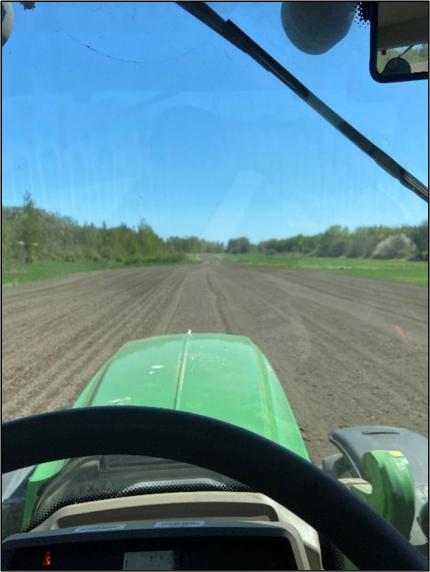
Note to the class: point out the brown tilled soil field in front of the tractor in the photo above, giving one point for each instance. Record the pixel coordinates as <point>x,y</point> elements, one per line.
<point>346,350</point>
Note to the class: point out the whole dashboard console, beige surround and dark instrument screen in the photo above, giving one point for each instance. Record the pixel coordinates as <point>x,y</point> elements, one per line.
<point>168,531</point>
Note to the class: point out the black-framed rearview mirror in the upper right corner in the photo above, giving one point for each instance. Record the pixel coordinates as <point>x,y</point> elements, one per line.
<point>399,41</point>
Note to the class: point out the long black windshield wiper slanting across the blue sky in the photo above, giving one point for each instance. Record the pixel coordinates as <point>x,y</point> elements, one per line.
<point>232,33</point>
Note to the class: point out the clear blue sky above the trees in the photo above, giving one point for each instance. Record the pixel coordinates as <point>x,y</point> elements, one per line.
<point>161,119</point>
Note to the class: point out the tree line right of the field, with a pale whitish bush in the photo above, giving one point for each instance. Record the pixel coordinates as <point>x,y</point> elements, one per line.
<point>409,242</point>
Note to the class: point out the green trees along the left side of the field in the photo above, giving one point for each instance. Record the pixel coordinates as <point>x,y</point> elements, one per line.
<point>30,234</point>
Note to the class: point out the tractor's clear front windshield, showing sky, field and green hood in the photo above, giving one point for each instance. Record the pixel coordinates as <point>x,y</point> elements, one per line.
<point>159,182</point>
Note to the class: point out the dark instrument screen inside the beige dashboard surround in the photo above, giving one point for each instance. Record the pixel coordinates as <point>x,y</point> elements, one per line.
<point>186,545</point>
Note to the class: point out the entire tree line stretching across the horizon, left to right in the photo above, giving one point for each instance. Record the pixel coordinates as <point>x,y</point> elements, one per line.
<point>30,233</point>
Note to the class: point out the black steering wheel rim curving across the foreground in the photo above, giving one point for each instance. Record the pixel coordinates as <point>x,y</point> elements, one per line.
<point>316,497</point>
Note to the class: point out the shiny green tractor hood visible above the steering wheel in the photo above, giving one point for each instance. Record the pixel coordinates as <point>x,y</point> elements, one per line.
<point>221,376</point>
